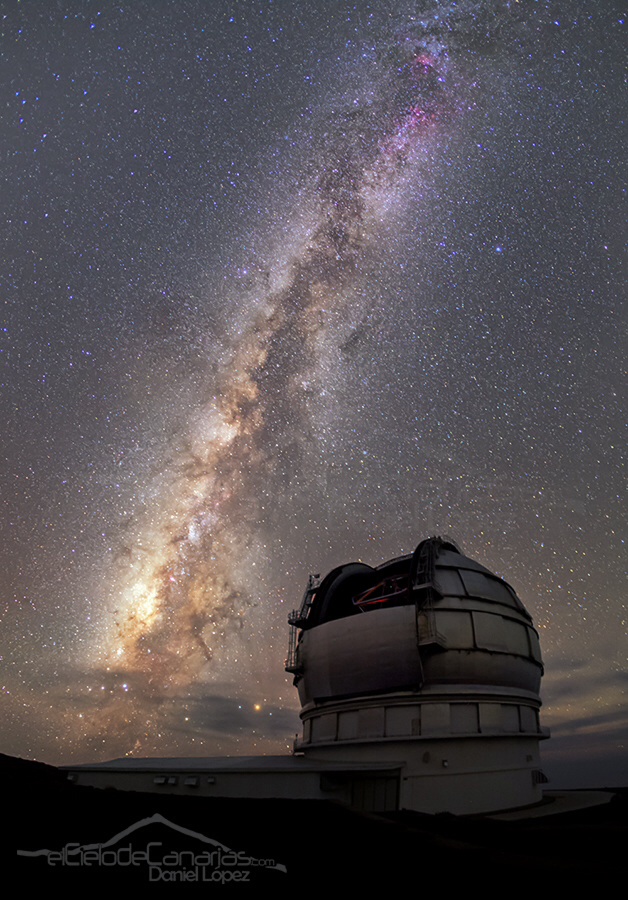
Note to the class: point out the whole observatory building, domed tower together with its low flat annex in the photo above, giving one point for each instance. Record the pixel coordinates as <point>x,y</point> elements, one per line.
<point>419,686</point>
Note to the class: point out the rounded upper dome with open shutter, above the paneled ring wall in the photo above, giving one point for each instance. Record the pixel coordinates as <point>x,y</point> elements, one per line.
<point>432,619</point>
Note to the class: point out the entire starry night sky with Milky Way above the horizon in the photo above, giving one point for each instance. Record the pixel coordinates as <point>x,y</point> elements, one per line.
<point>286,285</point>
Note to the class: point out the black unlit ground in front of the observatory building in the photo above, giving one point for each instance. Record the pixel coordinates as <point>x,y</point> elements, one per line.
<point>110,839</point>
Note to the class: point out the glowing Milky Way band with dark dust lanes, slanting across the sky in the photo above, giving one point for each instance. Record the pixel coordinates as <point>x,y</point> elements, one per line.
<point>182,592</point>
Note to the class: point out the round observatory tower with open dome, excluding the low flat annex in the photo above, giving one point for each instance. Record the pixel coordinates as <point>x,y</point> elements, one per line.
<point>429,656</point>
